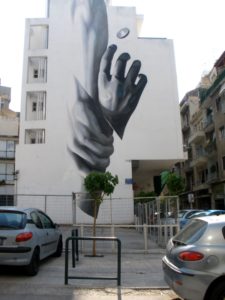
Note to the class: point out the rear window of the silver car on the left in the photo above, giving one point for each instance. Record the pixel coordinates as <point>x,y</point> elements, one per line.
<point>12,220</point>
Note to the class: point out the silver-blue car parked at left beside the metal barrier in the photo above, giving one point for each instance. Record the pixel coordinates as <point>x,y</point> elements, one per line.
<point>27,236</point>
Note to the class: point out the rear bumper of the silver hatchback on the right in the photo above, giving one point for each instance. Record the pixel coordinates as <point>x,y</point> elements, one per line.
<point>188,284</point>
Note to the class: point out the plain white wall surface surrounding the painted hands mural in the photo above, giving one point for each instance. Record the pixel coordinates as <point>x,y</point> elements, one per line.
<point>152,133</point>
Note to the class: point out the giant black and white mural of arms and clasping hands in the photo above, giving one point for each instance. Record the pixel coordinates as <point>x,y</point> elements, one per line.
<point>108,94</point>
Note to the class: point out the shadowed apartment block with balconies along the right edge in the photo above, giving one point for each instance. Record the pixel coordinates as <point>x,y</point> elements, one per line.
<point>206,142</point>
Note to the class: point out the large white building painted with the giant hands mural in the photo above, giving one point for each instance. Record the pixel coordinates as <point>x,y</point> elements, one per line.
<point>57,109</point>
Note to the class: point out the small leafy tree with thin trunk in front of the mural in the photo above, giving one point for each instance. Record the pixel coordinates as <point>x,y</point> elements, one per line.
<point>98,185</point>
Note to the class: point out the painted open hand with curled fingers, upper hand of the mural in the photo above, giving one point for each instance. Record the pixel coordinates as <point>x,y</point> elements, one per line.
<point>119,95</point>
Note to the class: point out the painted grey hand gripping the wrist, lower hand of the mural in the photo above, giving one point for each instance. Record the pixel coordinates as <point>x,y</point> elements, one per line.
<point>91,142</point>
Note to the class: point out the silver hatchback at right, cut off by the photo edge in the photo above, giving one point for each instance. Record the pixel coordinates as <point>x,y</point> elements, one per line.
<point>194,264</point>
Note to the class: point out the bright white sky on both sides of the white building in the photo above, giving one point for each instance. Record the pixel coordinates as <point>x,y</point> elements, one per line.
<point>195,26</point>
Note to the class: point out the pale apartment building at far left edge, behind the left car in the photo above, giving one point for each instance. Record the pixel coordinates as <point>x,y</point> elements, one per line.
<point>9,136</point>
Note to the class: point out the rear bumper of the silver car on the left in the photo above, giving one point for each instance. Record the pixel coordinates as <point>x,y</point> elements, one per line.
<point>15,256</point>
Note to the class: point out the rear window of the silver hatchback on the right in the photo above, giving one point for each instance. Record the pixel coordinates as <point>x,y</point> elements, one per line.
<point>191,233</point>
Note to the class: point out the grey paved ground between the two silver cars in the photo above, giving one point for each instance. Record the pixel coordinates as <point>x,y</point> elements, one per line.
<point>141,279</point>
